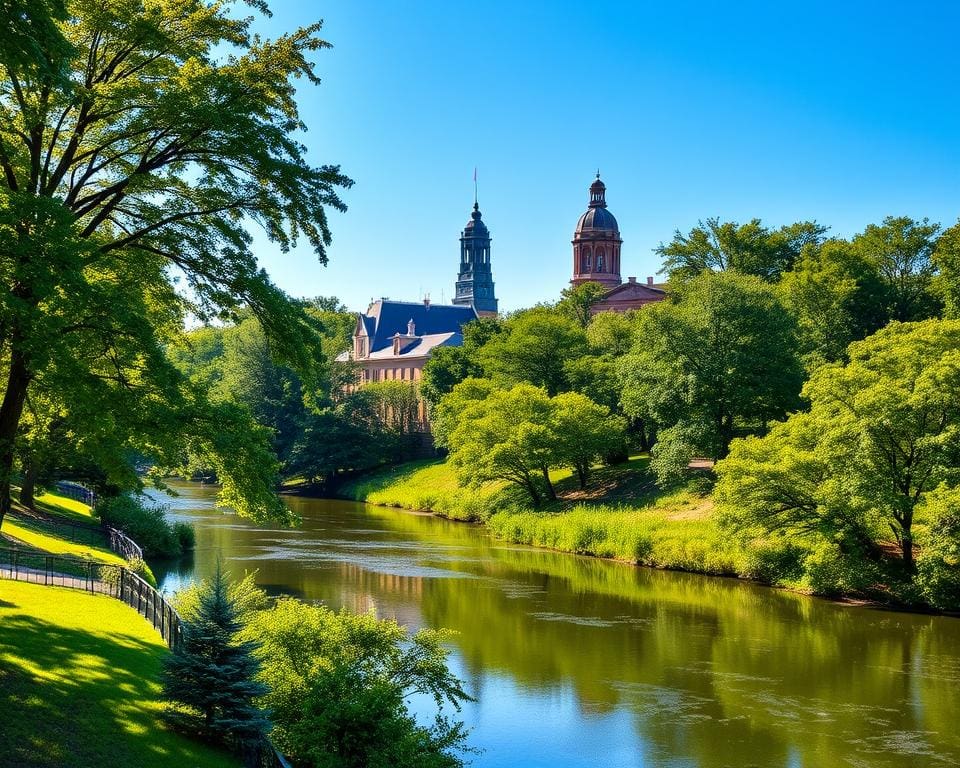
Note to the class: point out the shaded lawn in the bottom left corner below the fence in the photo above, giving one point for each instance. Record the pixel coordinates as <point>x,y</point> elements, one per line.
<point>78,684</point>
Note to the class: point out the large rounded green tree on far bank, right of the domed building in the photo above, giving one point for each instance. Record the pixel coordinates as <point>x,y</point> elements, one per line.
<point>720,357</point>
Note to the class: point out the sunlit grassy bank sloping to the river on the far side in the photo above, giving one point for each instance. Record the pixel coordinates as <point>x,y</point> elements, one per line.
<point>622,514</point>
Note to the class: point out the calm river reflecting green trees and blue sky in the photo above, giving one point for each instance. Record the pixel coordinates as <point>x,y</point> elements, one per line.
<point>580,662</point>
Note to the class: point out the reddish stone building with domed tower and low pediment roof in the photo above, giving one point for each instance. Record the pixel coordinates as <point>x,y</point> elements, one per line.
<point>596,258</point>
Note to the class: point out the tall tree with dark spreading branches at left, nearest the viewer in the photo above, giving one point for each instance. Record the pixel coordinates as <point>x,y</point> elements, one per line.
<point>138,142</point>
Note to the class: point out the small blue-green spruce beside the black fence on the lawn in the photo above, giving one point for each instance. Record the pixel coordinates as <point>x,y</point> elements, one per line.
<point>209,679</point>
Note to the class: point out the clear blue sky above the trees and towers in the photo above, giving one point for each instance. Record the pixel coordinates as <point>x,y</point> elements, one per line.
<point>839,112</point>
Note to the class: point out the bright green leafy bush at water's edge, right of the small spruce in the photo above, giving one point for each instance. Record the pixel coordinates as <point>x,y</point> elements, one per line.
<point>338,683</point>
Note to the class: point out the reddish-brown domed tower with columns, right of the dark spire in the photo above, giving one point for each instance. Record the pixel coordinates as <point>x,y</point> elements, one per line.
<point>596,242</point>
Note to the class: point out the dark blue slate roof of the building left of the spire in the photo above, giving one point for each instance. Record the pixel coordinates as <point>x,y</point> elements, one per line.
<point>384,319</point>
